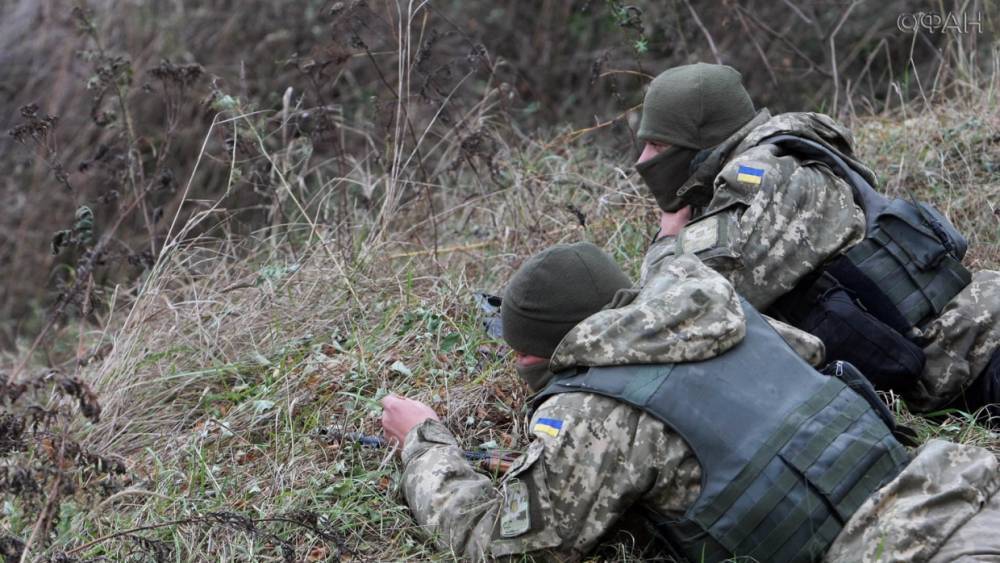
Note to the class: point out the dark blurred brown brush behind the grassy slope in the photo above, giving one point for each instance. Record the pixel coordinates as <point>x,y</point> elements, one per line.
<point>135,87</point>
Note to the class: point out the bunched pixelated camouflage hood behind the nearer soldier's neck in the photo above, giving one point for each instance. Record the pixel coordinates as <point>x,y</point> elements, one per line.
<point>685,312</point>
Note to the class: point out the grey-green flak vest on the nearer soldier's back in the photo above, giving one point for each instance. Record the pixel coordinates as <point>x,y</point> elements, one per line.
<point>787,453</point>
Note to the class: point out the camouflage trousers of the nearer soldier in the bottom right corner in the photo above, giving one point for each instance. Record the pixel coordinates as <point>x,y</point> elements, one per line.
<point>943,506</point>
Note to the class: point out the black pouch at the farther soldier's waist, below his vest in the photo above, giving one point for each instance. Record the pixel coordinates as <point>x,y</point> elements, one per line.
<point>851,334</point>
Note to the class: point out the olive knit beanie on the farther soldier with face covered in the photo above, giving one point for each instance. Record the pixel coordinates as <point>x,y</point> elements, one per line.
<point>695,106</point>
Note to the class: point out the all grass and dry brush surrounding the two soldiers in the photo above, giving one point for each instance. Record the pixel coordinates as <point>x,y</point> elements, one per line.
<point>230,227</point>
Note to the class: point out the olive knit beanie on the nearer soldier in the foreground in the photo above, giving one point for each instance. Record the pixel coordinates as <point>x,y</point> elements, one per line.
<point>553,291</point>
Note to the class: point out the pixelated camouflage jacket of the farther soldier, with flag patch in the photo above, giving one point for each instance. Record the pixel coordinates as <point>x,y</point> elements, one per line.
<point>765,221</point>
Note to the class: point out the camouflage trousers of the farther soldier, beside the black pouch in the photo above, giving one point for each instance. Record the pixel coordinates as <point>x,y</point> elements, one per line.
<point>960,343</point>
